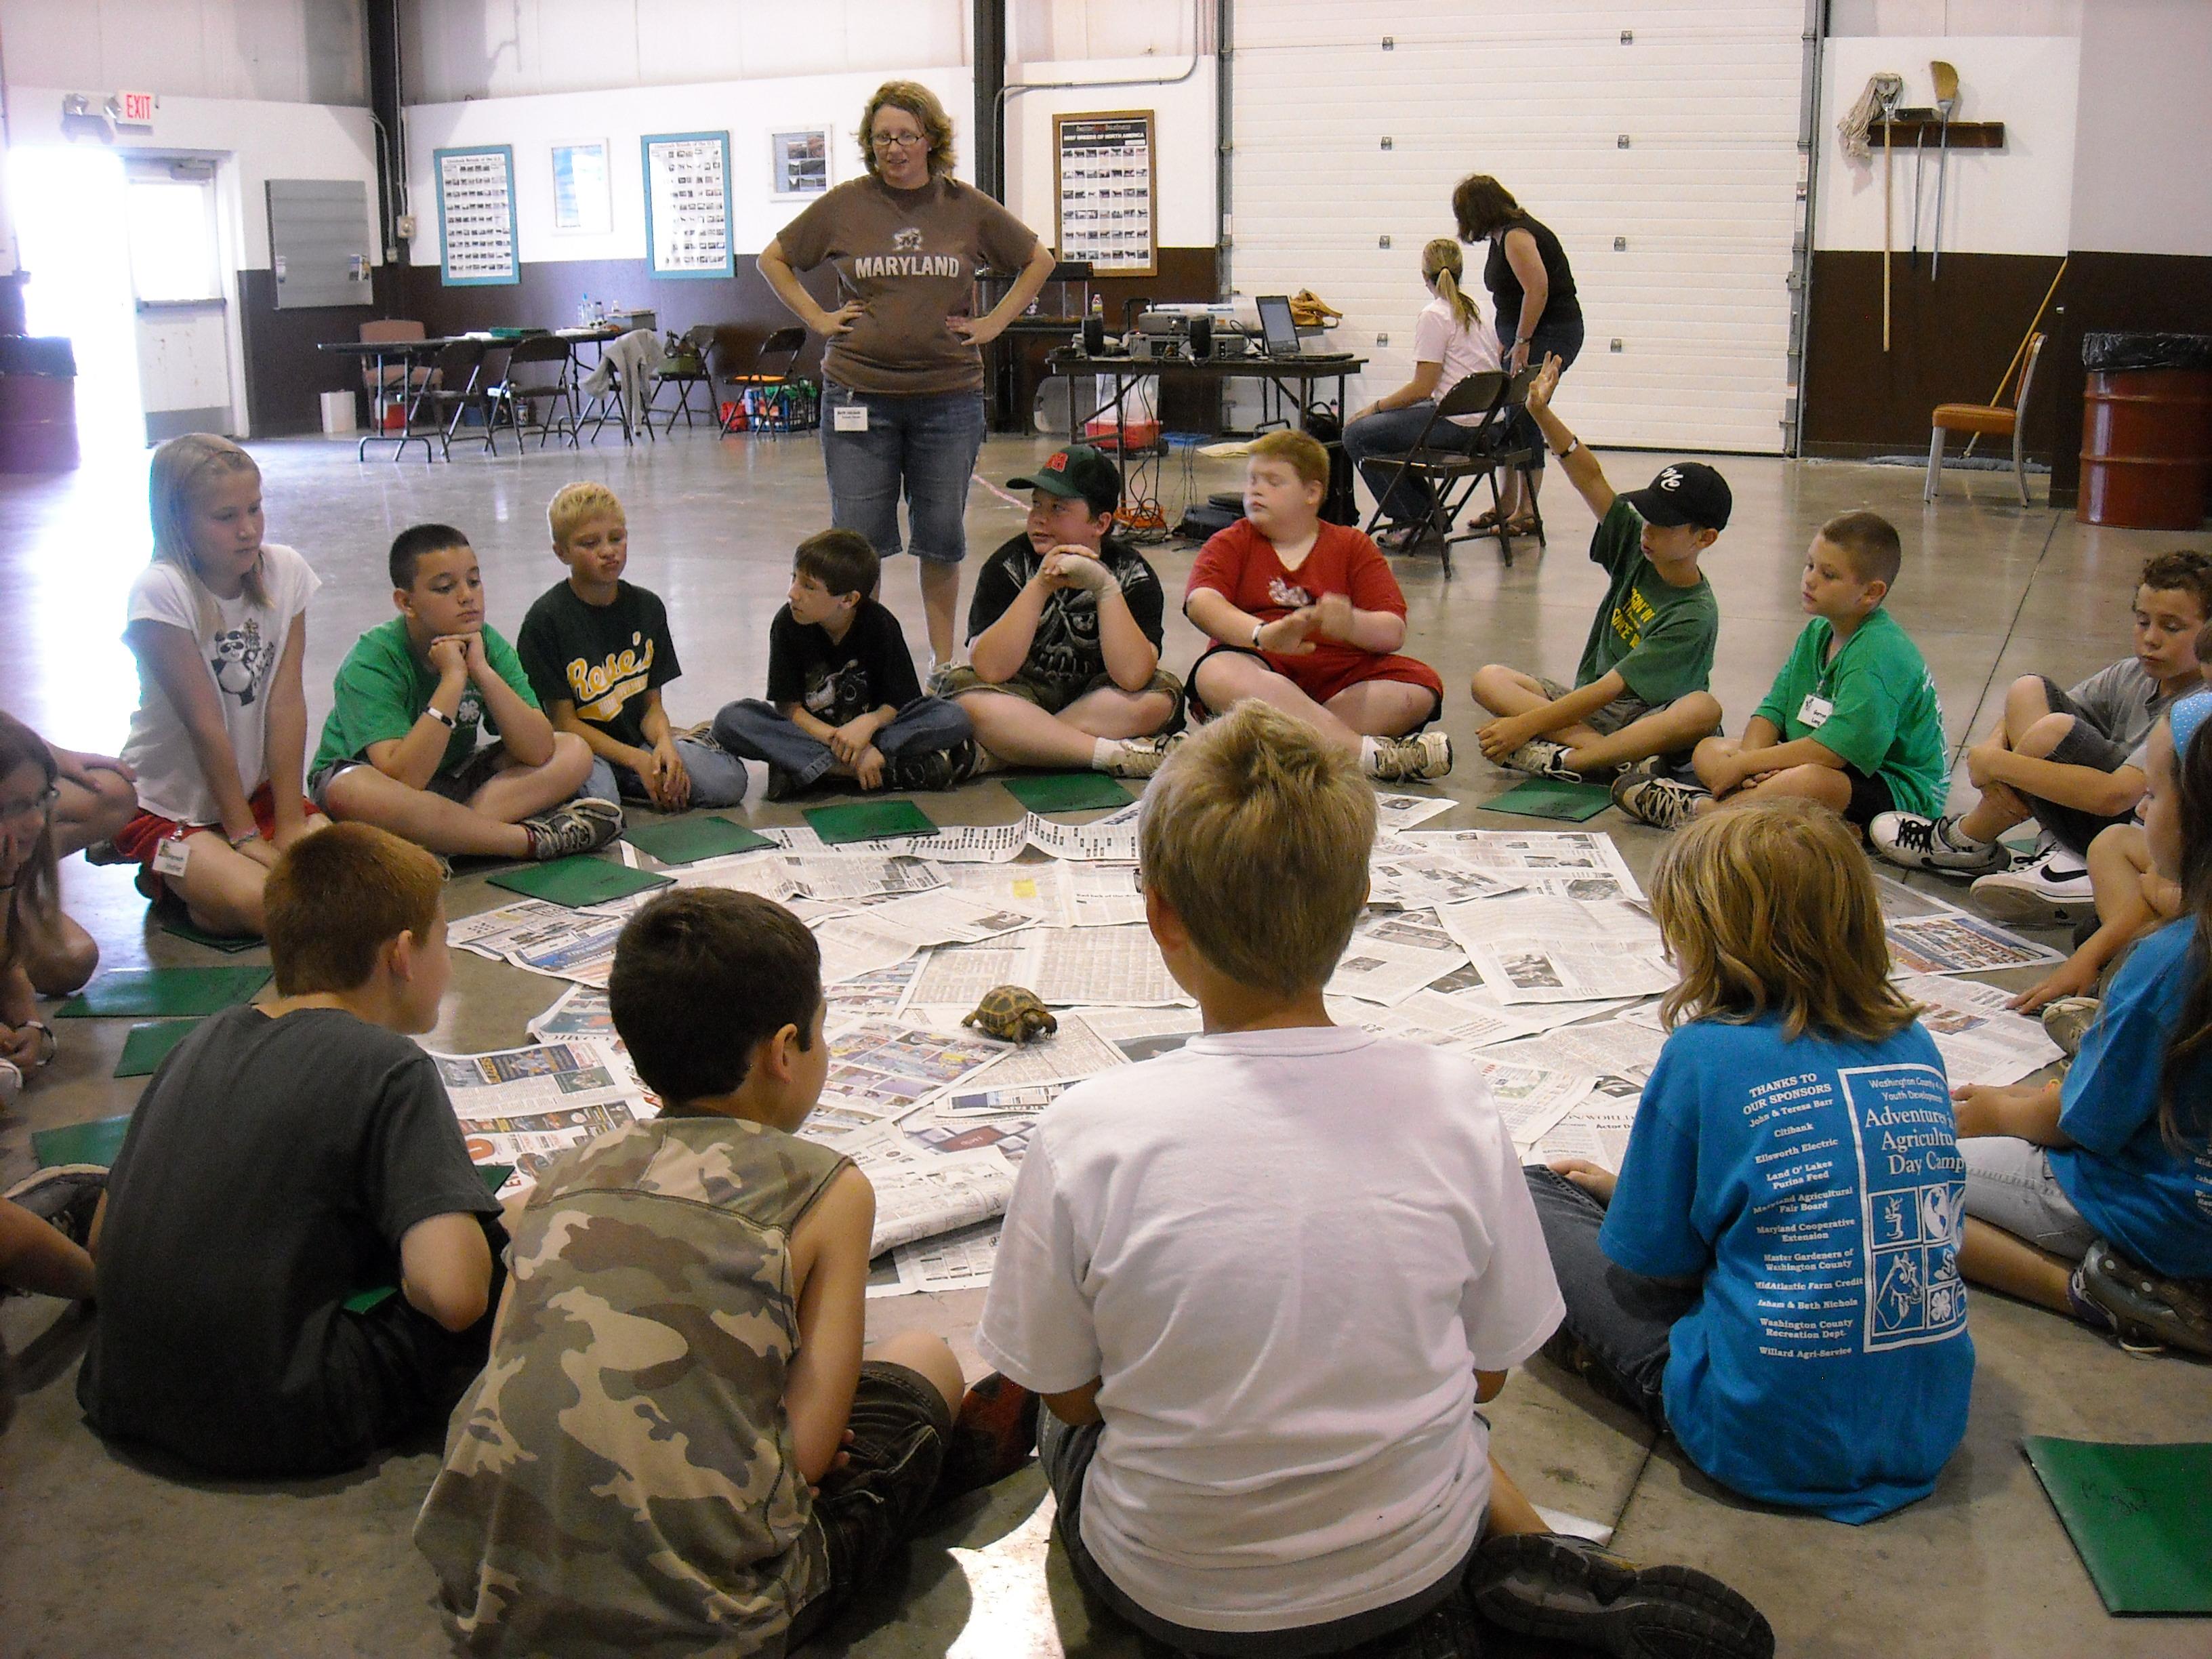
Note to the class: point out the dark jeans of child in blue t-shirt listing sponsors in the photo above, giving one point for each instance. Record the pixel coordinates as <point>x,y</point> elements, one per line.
<point>1625,1322</point>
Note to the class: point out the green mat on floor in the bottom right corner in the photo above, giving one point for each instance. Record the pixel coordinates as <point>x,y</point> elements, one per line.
<point>2138,1516</point>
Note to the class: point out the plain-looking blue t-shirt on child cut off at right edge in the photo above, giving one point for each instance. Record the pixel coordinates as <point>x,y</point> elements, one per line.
<point>2142,1196</point>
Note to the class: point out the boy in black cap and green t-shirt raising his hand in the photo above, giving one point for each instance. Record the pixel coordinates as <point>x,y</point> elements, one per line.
<point>1640,689</point>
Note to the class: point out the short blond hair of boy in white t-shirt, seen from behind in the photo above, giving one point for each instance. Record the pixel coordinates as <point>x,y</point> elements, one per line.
<point>1258,835</point>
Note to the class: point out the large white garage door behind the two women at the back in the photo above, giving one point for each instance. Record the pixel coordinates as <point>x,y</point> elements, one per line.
<point>1680,242</point>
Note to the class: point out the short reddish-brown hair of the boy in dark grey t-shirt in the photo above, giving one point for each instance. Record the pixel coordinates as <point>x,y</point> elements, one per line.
<point>337,899</point>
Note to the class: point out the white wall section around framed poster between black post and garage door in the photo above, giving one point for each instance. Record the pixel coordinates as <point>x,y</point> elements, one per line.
<point>1182,132</point>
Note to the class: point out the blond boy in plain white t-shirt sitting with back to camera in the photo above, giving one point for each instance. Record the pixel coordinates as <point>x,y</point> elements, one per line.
<point>1264,1282</point>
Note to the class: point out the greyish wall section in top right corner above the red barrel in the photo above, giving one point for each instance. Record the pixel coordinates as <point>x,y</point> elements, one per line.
<point>2142,178</point>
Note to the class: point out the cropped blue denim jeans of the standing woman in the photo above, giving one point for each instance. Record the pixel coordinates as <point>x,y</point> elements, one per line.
<point>924,446</point>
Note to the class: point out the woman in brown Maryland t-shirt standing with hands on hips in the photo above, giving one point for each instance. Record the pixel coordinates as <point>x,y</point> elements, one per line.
<point>904,373</point>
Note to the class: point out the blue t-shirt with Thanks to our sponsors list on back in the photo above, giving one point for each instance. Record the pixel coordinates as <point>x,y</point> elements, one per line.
<point>1817,1191</point>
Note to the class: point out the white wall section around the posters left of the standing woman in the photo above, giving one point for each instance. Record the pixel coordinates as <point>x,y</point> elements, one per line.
<point>623,116</point>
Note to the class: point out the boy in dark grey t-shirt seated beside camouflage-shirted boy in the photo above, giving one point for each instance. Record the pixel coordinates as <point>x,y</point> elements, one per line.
<point>284,1160</point>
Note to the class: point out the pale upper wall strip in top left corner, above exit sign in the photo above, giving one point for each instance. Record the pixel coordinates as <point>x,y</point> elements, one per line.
<point>282,52</point>
